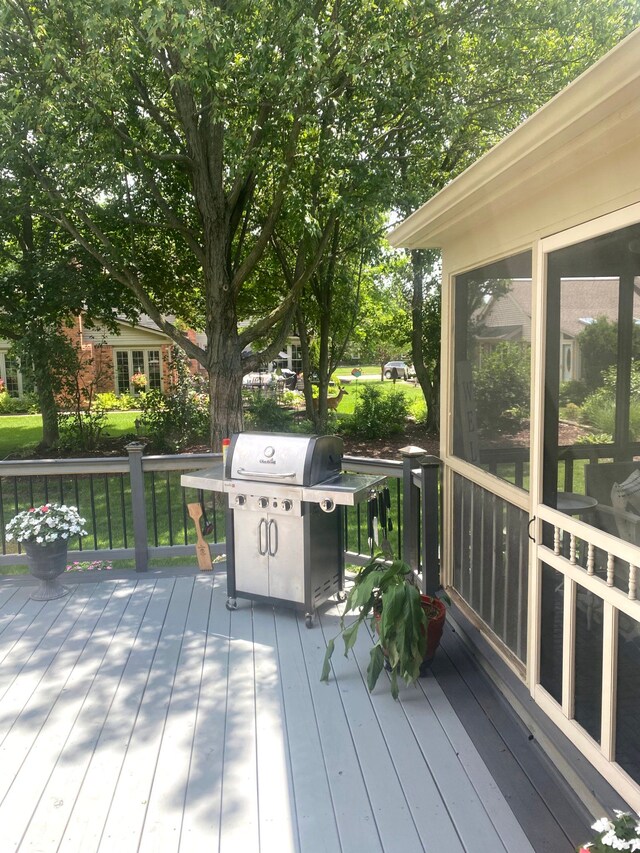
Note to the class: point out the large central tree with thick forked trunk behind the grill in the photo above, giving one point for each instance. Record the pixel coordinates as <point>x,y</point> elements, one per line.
<point>196,126</point>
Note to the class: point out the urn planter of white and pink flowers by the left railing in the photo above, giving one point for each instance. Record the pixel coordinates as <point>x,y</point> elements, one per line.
<point>44,532</point>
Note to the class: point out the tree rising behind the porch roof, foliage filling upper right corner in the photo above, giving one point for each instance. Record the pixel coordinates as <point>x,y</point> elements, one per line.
<point>485,69</point>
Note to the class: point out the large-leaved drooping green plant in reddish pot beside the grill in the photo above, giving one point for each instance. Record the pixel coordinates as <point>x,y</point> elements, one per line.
<point>408,625</point>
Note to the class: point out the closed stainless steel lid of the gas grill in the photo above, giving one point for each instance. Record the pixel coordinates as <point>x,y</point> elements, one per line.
<point>301,460</point>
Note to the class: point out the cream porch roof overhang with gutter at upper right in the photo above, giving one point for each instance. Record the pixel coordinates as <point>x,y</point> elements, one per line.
<point>581,126</point>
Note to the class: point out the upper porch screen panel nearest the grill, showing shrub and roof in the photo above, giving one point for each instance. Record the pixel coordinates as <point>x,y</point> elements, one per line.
<point>493,367</point>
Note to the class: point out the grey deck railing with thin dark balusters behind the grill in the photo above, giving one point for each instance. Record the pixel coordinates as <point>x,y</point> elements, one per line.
<point>136,509</point>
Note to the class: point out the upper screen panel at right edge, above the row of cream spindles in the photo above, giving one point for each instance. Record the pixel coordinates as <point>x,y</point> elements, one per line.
<point>592,380</point>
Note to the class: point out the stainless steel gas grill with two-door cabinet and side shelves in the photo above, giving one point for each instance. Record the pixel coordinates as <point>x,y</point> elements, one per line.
<point>285,516</point>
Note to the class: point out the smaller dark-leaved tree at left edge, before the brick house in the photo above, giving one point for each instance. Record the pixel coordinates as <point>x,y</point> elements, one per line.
<point>45,282</point>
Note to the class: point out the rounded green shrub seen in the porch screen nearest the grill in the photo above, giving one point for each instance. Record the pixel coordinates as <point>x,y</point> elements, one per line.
<point>502,384</point>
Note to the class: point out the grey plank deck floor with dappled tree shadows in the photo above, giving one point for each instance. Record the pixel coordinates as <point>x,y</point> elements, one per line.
<point>139,714</point>
